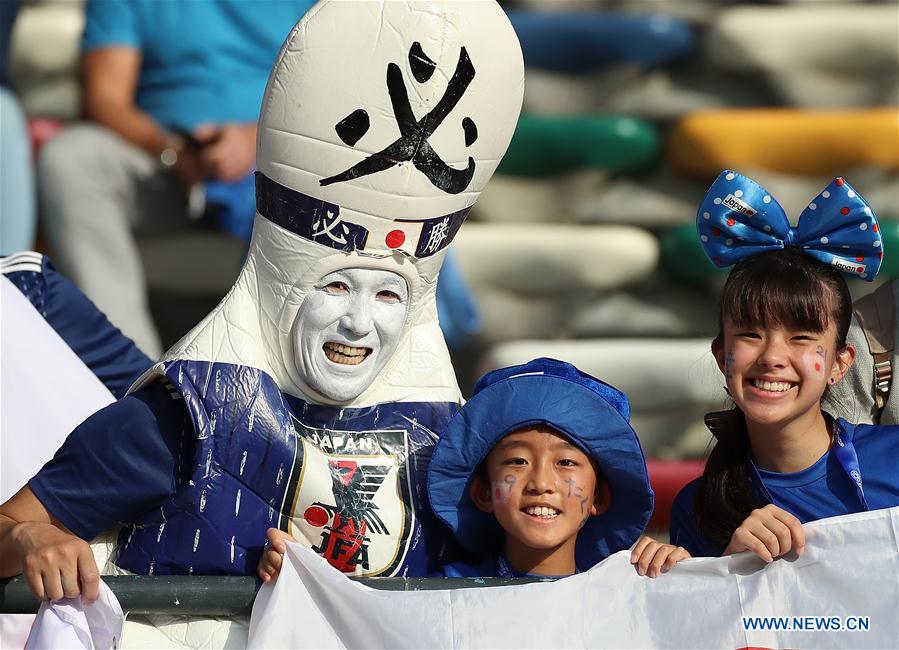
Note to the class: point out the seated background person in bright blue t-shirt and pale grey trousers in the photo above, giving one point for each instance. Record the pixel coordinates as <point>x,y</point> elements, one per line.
<point>170,92</point>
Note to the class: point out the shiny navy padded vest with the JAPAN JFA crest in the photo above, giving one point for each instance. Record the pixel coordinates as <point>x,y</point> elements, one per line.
<point>351,482</point>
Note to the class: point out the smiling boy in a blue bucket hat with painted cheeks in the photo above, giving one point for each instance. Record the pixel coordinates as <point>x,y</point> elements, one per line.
<point>541,474</point>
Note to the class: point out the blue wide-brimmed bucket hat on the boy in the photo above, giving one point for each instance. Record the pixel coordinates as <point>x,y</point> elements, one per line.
<point>592,414</point>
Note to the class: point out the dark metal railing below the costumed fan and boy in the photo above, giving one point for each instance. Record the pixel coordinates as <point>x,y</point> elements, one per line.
<point>215,595</point>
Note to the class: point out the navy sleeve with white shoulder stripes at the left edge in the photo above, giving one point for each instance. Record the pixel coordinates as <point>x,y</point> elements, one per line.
<point>113,358</point>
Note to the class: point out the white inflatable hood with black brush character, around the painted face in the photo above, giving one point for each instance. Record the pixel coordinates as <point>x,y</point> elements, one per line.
<point>437,86</point>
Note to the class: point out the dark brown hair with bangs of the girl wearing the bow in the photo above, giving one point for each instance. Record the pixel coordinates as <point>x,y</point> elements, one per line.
<point>782,287</point>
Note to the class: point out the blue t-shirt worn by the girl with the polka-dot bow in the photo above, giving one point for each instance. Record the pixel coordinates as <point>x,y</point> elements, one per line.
<point>820,491</point>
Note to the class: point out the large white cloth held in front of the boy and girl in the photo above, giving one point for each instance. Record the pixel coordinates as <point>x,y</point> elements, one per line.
<point>847,577</point>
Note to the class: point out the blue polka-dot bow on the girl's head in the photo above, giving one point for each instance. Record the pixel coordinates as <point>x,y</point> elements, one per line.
<point>738,218</point>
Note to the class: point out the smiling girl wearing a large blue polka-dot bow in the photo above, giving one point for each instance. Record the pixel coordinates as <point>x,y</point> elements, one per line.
<point>780,460</point>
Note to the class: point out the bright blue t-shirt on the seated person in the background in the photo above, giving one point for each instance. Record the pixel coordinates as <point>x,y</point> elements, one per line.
<point>201,61</point>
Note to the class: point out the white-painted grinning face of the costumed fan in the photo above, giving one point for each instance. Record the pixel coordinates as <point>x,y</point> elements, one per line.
<point>347,328</point>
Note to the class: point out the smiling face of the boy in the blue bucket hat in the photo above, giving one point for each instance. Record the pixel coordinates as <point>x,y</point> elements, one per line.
<point>542,488</point>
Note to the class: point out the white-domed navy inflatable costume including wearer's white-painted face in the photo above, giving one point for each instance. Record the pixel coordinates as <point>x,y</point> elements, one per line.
<point>314,390</point>
